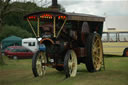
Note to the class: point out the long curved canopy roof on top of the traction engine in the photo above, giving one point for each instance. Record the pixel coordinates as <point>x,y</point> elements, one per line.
<point>70,16</point>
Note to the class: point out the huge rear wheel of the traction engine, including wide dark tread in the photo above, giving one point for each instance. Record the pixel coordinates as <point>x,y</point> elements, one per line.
<point>94,58</point>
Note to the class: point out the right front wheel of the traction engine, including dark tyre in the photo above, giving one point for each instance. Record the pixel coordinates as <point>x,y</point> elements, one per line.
<point>70,64</point>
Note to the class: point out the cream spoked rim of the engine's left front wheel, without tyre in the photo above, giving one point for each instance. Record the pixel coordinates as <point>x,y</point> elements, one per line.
<point>40,64</point>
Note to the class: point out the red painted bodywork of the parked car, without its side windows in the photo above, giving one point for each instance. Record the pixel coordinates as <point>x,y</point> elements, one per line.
<point>10,54</point>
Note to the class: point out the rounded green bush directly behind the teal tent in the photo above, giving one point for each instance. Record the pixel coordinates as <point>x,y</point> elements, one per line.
<point>14,30</point>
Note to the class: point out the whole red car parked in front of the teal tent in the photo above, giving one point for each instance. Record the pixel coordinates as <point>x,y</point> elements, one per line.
<point>18,52</point>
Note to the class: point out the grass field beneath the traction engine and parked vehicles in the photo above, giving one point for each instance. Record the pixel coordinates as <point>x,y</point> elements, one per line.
<point>18,72</point>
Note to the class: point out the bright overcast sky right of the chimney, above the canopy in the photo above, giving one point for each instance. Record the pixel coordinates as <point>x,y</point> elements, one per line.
<point>110,7</point>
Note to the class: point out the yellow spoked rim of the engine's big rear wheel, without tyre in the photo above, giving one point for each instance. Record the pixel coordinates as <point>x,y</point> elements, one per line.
<point>97,53</point>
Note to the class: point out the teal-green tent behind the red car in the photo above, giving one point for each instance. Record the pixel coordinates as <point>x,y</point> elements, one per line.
<point>11,41</point>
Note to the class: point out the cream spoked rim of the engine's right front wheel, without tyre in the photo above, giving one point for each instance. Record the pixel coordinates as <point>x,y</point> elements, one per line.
<point>72,64</point>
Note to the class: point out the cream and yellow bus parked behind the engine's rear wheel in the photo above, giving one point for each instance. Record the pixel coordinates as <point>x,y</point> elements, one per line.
<point>115,42</point>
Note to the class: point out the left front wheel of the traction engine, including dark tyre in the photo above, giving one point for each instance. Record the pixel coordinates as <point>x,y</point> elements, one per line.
<point>38,64</point>
